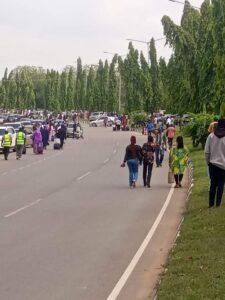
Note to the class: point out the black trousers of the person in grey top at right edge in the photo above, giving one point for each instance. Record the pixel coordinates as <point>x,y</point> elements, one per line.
<point>217,178</point>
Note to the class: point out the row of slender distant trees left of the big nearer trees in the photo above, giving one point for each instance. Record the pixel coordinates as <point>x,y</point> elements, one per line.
<point>123,85</point>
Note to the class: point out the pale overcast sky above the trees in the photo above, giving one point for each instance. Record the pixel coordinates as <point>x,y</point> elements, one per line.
<point>54,33</point>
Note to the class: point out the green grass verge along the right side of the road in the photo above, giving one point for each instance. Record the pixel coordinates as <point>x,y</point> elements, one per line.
<point>196,268</point>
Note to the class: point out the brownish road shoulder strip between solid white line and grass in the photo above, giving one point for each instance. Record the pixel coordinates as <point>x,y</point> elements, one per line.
<point>144,279</point>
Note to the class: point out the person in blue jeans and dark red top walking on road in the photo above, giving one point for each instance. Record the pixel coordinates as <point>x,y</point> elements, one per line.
<point>133,157</point>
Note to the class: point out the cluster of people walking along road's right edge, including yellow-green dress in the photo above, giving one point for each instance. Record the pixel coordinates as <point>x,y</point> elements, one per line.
<point>160,138</point>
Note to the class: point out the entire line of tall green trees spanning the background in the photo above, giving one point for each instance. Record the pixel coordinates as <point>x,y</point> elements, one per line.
<point>193,80</point>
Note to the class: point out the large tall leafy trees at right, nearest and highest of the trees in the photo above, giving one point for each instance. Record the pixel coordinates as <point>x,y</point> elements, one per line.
<point>194,78</point>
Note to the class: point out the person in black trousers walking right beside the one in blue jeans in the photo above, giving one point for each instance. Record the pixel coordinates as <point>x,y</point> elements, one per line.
<point>148,151</point>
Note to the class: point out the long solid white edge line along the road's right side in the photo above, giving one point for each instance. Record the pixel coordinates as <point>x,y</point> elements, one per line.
<point>122,281</point>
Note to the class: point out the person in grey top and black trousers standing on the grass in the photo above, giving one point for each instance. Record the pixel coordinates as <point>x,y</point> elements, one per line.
<point>215,158</point>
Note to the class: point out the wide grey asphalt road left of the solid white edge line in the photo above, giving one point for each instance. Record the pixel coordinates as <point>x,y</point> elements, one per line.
<point>69,225</point>
